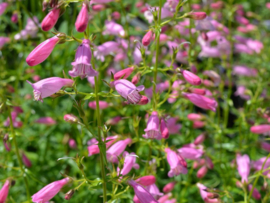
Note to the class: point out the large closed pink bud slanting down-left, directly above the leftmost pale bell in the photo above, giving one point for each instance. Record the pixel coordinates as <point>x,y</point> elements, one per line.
<point>42,51</point>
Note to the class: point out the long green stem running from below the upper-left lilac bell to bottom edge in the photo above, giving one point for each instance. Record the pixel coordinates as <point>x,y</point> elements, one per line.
<point>100,140</point>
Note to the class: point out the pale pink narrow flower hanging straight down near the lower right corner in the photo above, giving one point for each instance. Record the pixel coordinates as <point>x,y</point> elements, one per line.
<point>243,167</point>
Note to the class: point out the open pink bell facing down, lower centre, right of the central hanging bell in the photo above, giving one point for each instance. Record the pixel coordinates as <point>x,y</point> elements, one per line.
<point>177,164</point>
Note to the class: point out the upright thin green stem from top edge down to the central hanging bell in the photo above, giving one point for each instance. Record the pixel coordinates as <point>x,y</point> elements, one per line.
<point>157,55</point>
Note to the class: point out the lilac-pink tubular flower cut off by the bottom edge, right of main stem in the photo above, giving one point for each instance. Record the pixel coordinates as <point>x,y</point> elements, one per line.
<point>142,194</point>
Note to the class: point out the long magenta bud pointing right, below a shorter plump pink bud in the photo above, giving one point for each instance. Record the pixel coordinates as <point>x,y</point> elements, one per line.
<point>201,101</point>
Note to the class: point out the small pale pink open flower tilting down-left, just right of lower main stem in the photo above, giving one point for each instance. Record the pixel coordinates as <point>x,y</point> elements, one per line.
<point>129,163</point>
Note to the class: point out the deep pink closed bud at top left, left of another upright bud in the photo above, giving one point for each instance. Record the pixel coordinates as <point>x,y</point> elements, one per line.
<point>50,19</point>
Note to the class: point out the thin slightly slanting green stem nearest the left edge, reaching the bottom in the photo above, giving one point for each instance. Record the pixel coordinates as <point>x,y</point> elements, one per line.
<point>18,156</point>
